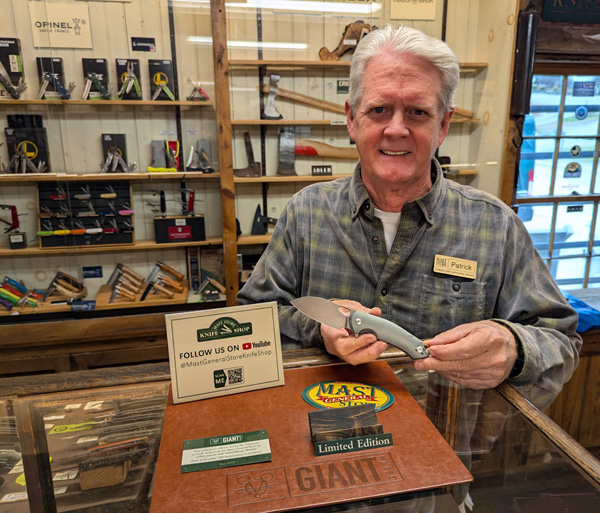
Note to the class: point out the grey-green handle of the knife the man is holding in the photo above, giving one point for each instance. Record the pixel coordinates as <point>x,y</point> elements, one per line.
<point>389,332</point>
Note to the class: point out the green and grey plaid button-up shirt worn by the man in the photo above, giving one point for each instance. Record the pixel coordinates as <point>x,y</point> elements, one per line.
<point>328,243</point>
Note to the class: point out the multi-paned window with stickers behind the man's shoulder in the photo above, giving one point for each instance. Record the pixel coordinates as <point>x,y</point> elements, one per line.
<point>558,192</point>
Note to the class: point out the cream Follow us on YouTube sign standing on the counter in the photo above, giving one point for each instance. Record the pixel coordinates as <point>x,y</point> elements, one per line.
<point>224,351</point>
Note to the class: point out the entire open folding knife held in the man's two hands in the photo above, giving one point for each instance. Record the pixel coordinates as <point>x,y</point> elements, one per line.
<point>340,317</point>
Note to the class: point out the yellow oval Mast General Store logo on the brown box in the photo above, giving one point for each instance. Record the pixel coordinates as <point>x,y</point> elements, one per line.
<point>339,394</point>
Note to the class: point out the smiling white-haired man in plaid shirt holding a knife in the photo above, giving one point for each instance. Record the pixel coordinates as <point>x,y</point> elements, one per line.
<point>389,240</point>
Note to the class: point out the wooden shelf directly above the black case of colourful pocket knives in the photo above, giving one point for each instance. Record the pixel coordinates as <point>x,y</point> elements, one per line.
<point>95,177</point>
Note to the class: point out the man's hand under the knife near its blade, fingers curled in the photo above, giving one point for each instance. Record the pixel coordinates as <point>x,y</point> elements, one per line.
<point>345,345</point>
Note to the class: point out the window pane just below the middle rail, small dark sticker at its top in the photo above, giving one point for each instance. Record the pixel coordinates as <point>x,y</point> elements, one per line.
<point>573,227</point>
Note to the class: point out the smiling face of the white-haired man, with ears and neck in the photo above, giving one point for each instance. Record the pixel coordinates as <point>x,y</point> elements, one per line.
<point>399,124</point>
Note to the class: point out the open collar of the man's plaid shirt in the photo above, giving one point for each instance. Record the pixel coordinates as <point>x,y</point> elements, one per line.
<point>429,204</point>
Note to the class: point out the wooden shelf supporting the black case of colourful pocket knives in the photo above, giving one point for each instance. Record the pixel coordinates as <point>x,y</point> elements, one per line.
<point>143,245</point>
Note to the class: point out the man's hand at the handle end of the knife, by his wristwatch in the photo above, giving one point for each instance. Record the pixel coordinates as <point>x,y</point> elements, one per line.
<point>476,355</point>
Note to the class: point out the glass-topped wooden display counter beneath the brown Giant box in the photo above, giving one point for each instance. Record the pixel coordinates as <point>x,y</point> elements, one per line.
<point>88,441</point>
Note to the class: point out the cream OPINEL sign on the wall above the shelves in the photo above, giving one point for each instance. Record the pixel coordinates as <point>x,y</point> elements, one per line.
<point>60,25</point>
